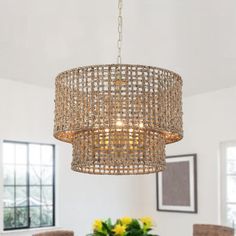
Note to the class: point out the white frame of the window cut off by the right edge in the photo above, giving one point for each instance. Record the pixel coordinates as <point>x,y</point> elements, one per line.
<point>223,182</point>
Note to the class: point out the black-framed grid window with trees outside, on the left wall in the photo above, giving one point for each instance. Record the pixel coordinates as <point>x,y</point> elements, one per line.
<point>29,185</point>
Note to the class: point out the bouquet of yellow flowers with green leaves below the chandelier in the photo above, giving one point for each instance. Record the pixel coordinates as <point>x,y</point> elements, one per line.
<point>125,226</point>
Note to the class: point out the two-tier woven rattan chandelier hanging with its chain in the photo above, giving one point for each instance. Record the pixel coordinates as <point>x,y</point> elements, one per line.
<point>118,117</point>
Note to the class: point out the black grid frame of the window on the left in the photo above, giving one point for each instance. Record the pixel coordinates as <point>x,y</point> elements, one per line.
<point>28,206</point>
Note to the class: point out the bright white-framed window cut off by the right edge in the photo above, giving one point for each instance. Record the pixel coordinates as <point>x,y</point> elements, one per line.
<point>228,183</point>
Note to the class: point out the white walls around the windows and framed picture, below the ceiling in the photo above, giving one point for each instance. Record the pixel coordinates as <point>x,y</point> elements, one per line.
<point>26,113</point>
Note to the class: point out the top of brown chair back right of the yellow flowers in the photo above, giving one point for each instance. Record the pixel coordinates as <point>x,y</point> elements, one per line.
<point>212,230</point>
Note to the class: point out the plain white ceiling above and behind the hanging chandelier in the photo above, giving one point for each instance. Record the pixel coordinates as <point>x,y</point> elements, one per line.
<point>195,38</point>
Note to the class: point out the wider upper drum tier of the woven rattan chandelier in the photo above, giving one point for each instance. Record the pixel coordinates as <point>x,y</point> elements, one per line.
<point>109,97</point>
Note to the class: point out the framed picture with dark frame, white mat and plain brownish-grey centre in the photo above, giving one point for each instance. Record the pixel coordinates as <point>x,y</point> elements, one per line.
<point>177,185</point>
